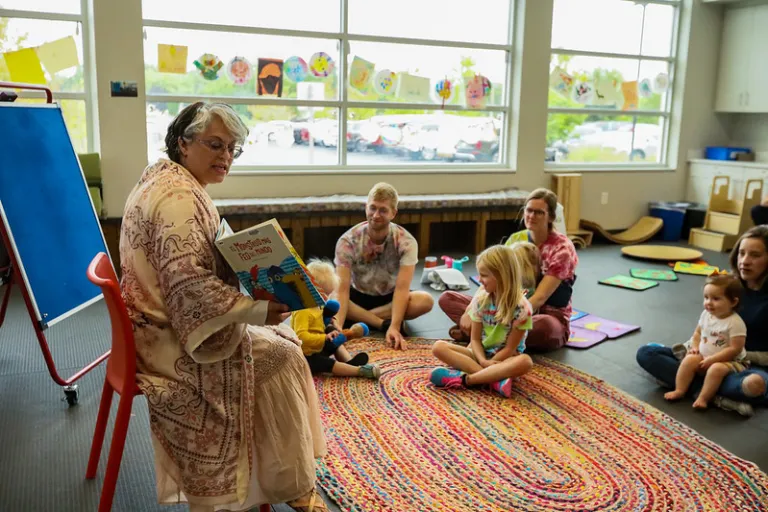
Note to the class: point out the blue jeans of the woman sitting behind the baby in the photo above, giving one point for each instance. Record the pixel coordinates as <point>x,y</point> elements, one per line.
<point>662,364</point>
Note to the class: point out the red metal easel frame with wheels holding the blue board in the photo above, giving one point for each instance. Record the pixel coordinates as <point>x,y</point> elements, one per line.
<point>14,276</point>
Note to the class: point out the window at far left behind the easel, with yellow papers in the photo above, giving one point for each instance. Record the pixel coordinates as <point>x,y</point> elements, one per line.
<point>43,40</point>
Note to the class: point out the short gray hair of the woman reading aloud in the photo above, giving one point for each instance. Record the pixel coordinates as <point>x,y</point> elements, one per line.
<point>195,118</point>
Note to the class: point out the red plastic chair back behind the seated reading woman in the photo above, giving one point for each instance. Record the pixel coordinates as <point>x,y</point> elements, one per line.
<point>121,365</point>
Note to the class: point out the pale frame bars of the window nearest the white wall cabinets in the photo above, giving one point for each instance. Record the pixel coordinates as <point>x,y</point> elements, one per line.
<point>667,114</point>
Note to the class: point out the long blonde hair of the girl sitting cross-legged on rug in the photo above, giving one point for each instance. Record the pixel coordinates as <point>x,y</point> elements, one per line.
<point>504,264</point>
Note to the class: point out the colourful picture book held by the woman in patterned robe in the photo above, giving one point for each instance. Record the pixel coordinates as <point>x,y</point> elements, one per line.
<point>268,266</point>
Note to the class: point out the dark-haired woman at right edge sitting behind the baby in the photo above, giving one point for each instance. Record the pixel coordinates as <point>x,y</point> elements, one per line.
<point>749,259</point>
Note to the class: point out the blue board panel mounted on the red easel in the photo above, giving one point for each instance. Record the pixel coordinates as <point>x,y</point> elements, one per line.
<point>47,210</point>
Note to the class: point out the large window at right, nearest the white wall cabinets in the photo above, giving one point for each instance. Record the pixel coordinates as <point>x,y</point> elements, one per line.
<point>610,87</point>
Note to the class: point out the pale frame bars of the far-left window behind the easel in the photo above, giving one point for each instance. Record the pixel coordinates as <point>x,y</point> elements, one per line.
<point>87,95</point>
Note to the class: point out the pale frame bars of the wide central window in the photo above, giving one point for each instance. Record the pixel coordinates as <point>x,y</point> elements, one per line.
<point>343,104</point>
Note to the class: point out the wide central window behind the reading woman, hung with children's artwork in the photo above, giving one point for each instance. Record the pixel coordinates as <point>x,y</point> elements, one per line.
<point>338,84</point>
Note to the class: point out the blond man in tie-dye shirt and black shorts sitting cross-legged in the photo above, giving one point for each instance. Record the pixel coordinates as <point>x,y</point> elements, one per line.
<point>376,261</point>
